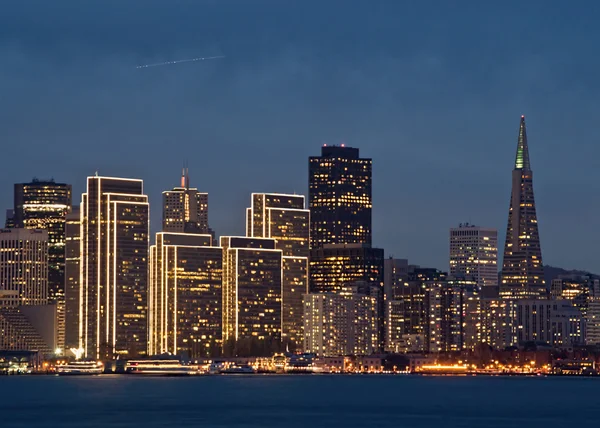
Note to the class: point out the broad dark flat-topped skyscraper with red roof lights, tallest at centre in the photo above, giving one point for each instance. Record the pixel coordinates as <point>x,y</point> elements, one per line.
<point>339,197</point>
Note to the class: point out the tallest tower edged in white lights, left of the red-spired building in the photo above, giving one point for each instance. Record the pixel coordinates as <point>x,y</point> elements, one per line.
<point>114,266</point>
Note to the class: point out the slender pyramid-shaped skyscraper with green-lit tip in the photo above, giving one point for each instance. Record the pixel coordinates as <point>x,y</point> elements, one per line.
<point>522,269</point>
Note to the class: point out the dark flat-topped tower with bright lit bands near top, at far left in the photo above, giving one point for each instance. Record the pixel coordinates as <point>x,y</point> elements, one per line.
<point>45,205</point>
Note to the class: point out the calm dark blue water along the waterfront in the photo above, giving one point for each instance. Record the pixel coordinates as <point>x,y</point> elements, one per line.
<point>298,401</point>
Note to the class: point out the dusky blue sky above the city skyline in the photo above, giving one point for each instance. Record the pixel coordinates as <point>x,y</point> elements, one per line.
<point>432,91</point>
